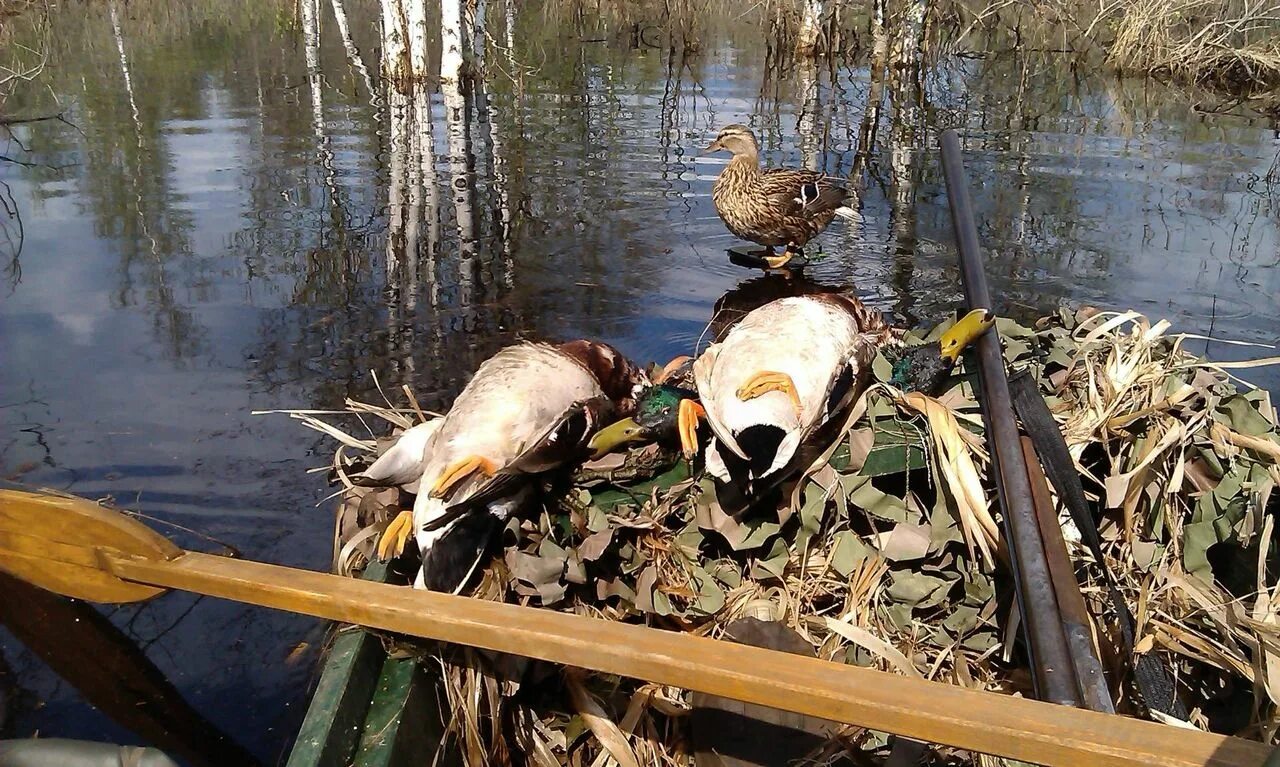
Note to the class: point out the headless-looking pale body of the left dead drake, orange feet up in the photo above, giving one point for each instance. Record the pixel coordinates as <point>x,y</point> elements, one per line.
<point>529,409</point>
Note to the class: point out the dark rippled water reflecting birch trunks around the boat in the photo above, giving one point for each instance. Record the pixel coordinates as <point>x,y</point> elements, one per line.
<point>223,232</point>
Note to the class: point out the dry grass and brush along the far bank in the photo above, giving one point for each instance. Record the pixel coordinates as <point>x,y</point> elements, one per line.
<point>1231,48</point>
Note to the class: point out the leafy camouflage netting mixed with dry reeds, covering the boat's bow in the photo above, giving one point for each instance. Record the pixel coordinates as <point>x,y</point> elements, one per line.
<point>889,553</point>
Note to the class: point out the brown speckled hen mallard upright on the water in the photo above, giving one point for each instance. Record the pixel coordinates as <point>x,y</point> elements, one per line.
<point>778,207</point>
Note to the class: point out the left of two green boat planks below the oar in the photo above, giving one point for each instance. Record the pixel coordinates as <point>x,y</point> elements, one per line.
<point>336,716</point>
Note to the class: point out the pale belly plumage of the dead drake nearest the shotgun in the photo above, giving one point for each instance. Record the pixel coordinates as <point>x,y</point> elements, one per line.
<point>806,339</point>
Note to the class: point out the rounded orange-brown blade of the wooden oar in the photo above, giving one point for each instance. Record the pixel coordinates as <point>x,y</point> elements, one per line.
<point>54,541</point>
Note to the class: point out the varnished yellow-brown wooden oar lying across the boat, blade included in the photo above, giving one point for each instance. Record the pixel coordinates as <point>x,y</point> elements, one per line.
<point>81,550</point>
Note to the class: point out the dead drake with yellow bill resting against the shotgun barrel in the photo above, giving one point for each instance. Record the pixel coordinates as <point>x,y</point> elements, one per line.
<point>794,367</point>
